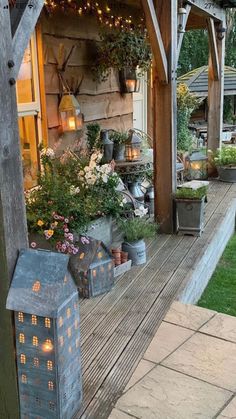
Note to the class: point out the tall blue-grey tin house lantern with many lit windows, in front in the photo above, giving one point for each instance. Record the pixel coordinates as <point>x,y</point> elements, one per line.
<point>45,301</point>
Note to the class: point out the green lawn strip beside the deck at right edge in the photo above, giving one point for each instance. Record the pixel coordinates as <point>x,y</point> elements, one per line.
<point>220,294</point>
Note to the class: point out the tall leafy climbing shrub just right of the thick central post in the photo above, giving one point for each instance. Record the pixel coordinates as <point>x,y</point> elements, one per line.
<point>186,103</point>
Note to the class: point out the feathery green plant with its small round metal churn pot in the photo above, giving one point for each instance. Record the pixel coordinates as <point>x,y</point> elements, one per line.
<point>135,230</point>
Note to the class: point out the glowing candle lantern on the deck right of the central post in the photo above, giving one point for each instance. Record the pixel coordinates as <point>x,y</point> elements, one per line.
<point>197,166</point>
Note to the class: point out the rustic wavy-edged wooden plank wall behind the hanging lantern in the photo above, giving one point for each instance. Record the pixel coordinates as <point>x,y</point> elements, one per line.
<point>100,102</point>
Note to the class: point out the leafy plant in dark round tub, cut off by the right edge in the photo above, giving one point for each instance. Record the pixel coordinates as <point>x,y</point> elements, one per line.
<point>225,161</point>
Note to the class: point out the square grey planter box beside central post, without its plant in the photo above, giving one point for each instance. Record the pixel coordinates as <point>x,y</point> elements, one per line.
<point>190,216</point>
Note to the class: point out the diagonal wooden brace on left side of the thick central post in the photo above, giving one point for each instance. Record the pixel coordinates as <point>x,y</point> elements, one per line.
<point>156,40</point>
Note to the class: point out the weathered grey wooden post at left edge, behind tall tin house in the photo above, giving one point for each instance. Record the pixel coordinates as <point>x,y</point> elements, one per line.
<point>13,228</point>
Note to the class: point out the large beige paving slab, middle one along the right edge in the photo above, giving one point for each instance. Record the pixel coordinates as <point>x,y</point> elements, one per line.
<point>208,358</point>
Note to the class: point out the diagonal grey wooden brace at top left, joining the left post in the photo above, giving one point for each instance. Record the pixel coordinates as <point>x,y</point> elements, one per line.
<point>26,24</point>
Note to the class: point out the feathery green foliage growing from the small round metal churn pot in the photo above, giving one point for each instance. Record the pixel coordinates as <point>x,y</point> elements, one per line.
<point>135,229</point>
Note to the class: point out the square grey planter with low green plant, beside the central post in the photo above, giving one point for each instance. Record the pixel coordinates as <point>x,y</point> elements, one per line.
<point>190,203</point>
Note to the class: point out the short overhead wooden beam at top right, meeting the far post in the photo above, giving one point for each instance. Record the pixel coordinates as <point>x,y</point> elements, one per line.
<point>207,8</point>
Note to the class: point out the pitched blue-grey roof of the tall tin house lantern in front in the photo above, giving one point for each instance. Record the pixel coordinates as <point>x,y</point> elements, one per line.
<point>41,283</point>
